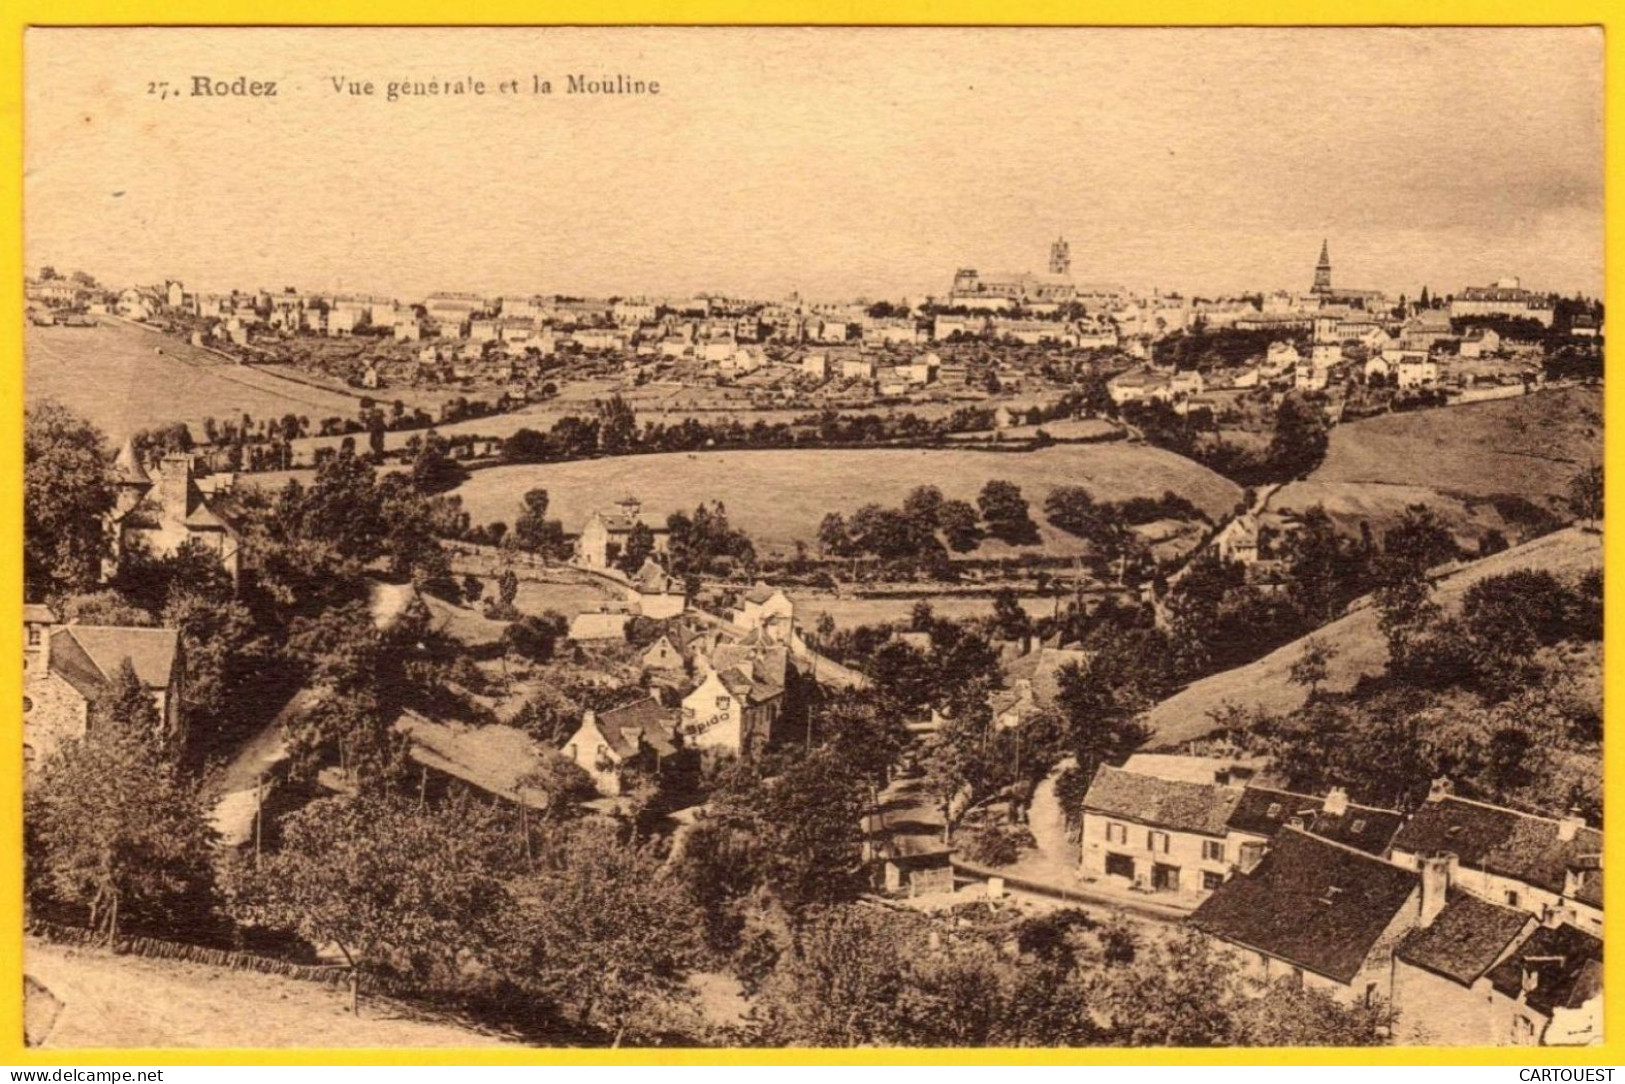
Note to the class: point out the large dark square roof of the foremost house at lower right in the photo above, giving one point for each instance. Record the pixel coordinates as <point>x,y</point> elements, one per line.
<point>1311,903</point>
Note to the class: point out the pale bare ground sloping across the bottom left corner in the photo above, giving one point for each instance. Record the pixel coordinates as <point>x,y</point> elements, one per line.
<point>105,1000</point>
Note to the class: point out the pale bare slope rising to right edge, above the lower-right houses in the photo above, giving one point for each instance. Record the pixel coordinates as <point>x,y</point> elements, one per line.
<point>1358,641</point>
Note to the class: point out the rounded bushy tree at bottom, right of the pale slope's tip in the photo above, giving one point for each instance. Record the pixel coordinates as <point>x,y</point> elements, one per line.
<point>607,930</point>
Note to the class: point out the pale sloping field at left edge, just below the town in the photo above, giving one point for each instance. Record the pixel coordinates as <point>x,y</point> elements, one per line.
<point>115,376</point>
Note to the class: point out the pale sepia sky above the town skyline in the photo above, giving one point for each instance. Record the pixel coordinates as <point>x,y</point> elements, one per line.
<point>838,163</point>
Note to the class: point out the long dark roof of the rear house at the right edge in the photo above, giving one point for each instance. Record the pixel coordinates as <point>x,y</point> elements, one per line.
<point>1501,841</point>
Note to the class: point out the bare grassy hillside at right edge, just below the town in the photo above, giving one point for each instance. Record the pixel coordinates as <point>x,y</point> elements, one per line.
<point>1467,462</point>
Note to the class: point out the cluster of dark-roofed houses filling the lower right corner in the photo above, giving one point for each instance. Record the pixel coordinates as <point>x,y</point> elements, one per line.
<point>1475,924</point>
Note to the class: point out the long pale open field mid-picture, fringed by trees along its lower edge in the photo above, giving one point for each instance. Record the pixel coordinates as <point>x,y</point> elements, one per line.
<point>781,496</point>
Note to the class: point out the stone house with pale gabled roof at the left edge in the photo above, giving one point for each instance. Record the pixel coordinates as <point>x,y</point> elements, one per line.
<point>67,667</point>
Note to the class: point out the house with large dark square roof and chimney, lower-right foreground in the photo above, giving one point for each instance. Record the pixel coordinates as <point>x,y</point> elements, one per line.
<point>1322,916</point>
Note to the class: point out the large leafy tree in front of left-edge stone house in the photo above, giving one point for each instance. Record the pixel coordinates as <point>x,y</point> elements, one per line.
<point>113,831</point>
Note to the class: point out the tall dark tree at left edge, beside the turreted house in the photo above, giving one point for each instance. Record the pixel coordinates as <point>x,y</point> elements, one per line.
<point>67,496</point>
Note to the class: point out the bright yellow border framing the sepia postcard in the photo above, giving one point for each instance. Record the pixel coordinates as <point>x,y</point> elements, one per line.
<point>17,15</point>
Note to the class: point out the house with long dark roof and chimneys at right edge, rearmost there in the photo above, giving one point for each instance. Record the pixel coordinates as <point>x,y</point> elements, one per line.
<point>1517,859</point>
